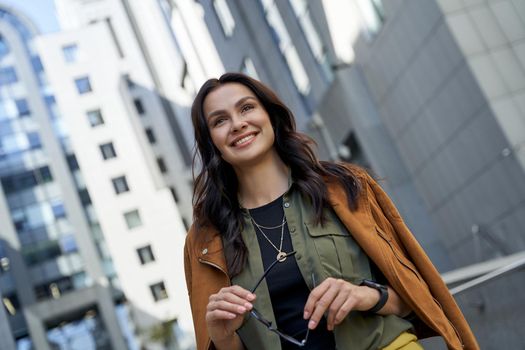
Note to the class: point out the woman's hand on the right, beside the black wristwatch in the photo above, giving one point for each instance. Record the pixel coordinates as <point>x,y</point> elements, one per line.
<point>338,297</point>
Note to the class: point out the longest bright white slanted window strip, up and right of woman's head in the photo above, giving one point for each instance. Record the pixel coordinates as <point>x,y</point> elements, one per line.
<point>283,40</point>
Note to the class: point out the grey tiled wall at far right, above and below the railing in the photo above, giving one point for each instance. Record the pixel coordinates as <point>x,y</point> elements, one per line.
<point>447,81</point>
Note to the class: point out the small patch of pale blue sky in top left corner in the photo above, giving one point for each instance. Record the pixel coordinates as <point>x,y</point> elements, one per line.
<point>41,12</point>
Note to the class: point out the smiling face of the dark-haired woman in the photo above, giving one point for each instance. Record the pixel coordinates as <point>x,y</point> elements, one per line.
<point>239,125</point>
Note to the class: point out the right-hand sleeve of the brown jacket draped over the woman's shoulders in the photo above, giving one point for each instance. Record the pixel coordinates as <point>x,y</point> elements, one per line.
<point>423,264</point>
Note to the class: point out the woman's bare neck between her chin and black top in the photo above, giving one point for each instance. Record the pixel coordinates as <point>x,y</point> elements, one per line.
<point>262,183</point>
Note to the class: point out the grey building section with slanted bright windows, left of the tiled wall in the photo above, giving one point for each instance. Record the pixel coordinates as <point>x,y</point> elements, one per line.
<point>289,46</point>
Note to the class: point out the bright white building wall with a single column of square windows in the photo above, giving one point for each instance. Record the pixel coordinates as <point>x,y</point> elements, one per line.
<point>161,223</point>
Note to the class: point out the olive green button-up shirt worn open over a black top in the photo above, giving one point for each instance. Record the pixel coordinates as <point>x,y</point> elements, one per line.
<point>322,252</point>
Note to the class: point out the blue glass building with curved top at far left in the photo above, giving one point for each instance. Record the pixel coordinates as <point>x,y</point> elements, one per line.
<point>54,275</point>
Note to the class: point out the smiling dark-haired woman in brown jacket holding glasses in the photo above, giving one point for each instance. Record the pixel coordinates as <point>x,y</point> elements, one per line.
<point>287,251</point>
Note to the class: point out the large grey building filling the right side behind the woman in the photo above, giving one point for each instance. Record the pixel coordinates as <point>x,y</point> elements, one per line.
<point>431,96</point>
